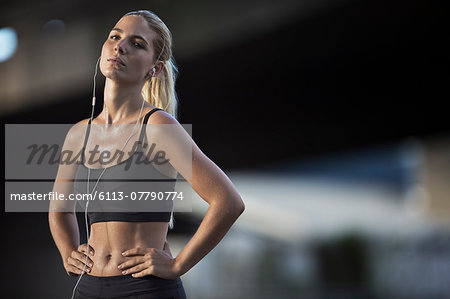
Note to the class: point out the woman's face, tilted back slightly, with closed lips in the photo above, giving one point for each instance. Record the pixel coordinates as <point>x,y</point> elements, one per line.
<point>130,41</point>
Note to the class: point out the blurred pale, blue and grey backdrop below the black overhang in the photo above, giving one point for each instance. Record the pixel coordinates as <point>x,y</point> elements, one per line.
<point>361,224</point>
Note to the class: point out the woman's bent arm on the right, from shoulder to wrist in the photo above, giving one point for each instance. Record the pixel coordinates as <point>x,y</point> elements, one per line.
<point>211,184</point>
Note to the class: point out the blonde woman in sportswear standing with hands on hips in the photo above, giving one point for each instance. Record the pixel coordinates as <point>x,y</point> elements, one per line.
<point>129,256</point>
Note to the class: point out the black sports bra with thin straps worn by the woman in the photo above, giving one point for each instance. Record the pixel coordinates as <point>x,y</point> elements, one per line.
<point>127,188</point>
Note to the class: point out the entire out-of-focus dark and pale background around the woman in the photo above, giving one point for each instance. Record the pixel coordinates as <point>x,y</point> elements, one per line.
<point>328,116</point>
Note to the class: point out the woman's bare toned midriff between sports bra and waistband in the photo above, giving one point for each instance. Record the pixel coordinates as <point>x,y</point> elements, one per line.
<point>110,239</point>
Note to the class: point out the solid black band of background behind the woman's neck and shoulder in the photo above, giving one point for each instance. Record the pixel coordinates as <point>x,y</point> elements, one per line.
<point>361,73</point>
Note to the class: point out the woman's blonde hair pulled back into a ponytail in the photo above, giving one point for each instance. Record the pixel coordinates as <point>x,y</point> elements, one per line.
<point>162,92</point>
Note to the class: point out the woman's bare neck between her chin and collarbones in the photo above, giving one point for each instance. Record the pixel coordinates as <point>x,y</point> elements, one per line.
<point>121,101</point>
